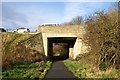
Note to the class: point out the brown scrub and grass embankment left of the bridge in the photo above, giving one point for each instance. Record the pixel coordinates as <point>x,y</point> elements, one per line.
<point>12,52</point>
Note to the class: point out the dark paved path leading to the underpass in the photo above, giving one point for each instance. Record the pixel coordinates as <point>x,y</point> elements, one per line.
<point>59,71</point>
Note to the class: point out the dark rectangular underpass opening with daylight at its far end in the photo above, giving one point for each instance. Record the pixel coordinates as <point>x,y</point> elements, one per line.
<point>59,48</point>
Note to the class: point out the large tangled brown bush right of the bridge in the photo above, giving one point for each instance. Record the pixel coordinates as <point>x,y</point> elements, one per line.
<point>103,36</point>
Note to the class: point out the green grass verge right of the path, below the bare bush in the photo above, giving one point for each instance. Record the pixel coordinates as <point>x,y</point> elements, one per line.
<point>84,71</point>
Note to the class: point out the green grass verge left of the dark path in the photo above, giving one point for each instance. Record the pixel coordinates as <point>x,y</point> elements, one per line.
<point>26,71</point>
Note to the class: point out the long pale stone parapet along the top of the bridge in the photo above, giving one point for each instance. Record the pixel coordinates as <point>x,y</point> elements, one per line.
<point>61,29</point>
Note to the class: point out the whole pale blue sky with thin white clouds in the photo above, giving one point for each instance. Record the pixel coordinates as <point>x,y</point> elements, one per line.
<point>31,14</point>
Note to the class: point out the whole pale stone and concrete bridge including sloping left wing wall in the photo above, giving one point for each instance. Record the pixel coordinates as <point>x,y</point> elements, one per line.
<point>72,35</point>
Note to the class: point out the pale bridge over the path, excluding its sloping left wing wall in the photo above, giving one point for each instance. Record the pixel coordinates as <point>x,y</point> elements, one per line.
<point>71,35</point>
